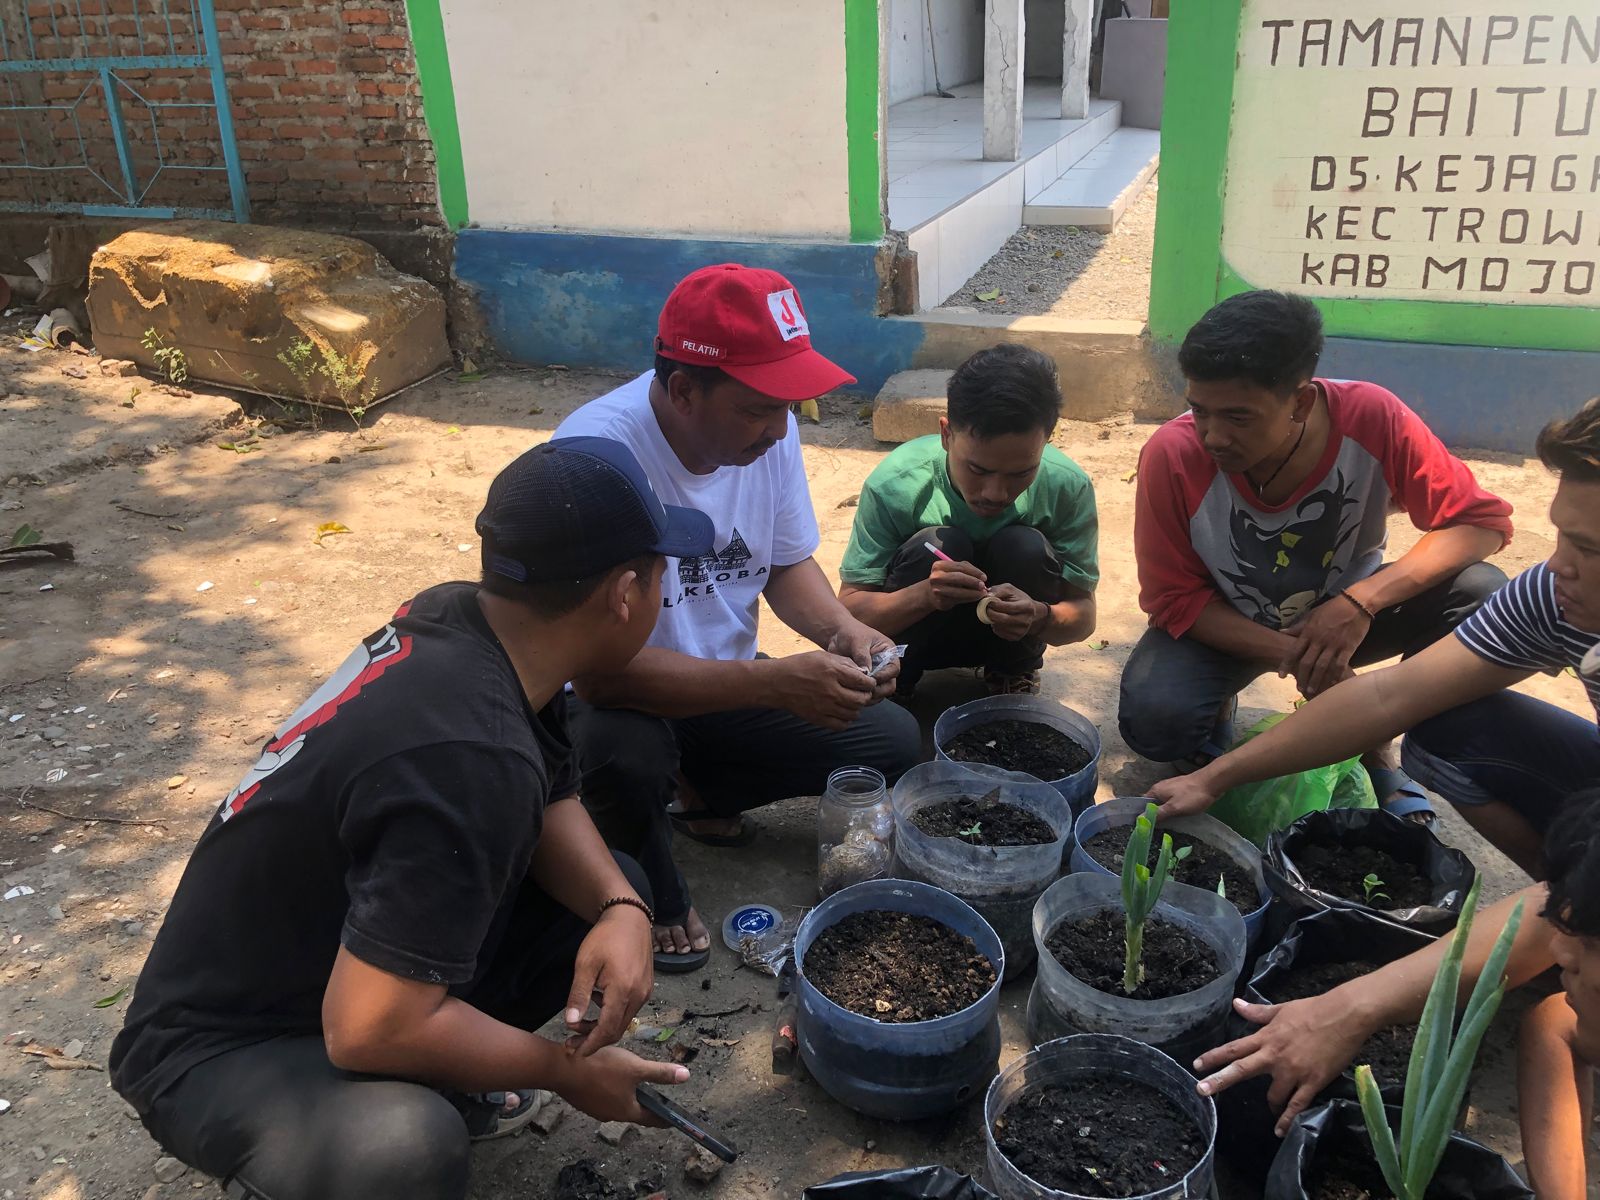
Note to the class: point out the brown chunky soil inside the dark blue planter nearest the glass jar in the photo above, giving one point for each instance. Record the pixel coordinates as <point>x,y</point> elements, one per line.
<point>898,967</point>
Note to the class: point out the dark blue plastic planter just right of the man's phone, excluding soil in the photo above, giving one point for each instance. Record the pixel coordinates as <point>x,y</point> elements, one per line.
<point>898,1071</point>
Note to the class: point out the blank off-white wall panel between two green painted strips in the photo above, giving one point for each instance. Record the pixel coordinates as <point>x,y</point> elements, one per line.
<point>678,118</point>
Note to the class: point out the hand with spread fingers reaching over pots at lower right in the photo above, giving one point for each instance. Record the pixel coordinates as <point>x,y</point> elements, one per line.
<point>1303,1046</point>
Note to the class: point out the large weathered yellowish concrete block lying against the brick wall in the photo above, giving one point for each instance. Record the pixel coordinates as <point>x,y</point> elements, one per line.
<point>278,311</point>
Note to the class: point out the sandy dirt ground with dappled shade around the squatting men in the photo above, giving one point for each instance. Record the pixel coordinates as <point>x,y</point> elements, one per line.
<point>201,610</point>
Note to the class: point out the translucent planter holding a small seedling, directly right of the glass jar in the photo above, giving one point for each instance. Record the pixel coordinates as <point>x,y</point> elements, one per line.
<point>1001,882</point>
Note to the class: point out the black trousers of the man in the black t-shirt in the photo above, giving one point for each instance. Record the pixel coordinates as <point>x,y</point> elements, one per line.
<point>278,1121</point>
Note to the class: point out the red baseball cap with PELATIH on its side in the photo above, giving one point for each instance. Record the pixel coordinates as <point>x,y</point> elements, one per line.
<point>748,322</point>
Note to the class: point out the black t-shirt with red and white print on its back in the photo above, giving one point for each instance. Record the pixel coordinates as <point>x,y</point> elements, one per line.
<point>394,814</point>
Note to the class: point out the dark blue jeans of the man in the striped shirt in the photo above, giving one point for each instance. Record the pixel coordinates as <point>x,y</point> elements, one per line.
<point>1506,748</point>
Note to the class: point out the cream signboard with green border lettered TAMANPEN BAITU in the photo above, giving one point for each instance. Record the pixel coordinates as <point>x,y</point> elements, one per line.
<point>1428,172</point>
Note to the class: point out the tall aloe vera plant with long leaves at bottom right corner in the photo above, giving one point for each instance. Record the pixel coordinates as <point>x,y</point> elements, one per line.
<point>1441,1063</point>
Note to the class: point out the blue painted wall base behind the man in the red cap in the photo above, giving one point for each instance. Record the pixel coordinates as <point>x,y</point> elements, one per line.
<point>593,302</point>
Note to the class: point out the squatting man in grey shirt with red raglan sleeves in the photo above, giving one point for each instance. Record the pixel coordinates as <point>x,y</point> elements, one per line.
<point>1260,532</point>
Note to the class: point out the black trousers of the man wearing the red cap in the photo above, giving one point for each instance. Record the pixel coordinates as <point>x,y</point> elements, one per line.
<point>737,761</point>
